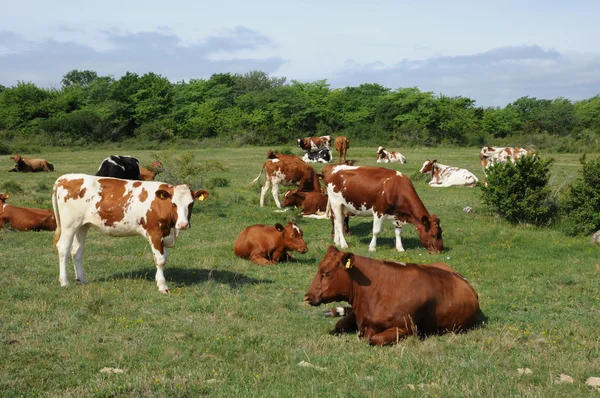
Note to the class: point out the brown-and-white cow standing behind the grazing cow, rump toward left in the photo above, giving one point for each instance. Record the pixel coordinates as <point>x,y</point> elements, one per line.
<point>286,170</point>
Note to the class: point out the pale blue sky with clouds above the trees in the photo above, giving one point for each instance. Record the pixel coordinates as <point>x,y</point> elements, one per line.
<point>493,52</point>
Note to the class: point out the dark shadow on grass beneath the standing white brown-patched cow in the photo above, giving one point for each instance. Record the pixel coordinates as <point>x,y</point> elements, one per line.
<point>179,277</point>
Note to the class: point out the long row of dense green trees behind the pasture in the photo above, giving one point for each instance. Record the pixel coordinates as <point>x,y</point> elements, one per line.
<point>256,109</point>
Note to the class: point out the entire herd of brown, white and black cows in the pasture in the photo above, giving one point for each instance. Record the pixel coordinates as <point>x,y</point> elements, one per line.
<point>389,300</point>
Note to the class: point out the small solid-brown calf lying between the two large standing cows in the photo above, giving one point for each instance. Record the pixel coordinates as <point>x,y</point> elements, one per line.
<point>264,244</point>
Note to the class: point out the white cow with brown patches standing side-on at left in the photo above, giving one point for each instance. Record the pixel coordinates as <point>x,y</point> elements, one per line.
<point>155,210</point>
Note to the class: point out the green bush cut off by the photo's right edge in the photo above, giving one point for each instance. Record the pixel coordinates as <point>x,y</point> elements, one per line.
<point>581,204</point>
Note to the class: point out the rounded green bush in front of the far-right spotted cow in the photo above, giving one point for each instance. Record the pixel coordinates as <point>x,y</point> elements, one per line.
<point>519,191</point>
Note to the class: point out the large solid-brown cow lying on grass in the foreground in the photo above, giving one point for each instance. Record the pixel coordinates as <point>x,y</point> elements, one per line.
<point>390,300</point>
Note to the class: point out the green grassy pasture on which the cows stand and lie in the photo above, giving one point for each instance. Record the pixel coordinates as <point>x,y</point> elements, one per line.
<point>232,328</point>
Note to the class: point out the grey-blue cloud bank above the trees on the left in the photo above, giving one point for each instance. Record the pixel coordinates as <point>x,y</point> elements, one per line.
<point>45,62</point>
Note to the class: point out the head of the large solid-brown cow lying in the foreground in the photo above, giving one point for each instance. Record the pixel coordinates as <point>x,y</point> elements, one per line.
<point>333,281</point>
